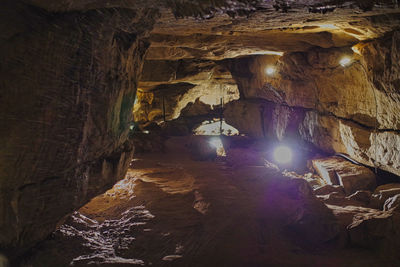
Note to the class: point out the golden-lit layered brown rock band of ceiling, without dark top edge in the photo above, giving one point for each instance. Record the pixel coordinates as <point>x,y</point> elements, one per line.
<point>223,37</point>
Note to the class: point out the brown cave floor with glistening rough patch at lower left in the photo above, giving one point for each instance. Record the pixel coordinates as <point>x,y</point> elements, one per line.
<point>173,211</point>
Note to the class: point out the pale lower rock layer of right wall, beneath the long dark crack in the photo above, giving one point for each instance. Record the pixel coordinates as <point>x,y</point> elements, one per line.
<point>331,134</point>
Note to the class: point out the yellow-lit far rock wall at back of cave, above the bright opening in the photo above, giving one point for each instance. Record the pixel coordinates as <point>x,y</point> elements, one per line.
<point>181,83</point>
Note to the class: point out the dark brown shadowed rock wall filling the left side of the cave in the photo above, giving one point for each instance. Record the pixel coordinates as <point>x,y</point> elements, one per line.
<point>68,83</point>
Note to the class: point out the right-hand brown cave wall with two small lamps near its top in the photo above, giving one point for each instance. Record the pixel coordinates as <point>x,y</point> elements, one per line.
<point>342,106</point>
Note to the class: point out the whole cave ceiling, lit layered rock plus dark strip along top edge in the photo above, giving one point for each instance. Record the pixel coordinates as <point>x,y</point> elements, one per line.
<point>219,29</point>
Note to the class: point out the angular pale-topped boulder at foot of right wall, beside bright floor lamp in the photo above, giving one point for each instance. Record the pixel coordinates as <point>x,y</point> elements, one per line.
<point>338,171</point>
